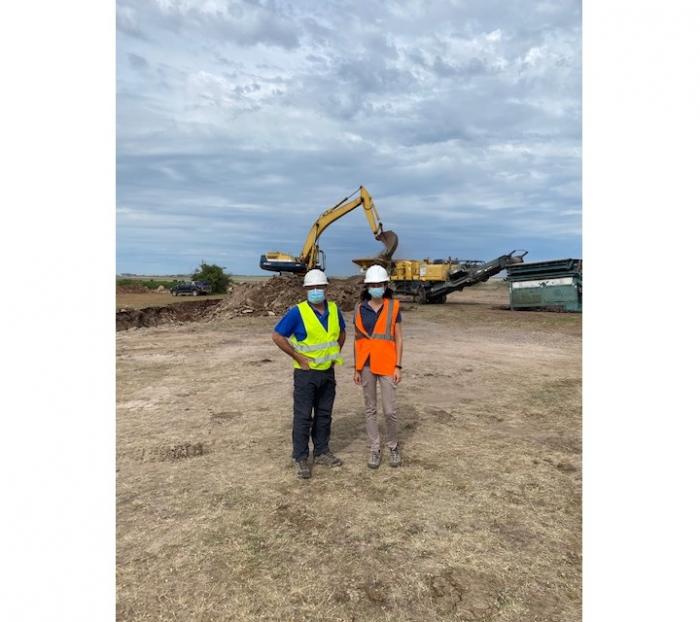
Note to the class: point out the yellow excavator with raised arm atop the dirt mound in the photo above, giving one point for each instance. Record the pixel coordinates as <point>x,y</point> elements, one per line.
<point>312,256</point>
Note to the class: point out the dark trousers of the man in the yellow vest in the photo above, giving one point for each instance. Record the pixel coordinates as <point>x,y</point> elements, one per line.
<point>314,393</point>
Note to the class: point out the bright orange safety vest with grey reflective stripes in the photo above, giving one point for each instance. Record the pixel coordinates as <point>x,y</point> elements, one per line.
<point>380,346</point>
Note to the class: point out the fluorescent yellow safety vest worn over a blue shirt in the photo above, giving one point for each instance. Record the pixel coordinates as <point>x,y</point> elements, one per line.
<point>320,344</point>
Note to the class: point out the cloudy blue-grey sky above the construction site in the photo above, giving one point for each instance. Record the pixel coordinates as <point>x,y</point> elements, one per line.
<point>239,122</point>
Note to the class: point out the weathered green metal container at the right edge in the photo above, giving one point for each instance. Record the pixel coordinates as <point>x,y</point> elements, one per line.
<point>554,285</point>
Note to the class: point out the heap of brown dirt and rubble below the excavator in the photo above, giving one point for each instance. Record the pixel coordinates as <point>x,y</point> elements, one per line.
<point>276,295</point>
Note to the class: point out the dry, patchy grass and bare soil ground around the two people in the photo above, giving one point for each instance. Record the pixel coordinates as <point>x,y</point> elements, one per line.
<point>481,522</point>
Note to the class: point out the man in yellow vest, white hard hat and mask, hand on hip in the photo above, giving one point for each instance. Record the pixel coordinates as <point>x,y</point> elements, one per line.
<point>312,333</point>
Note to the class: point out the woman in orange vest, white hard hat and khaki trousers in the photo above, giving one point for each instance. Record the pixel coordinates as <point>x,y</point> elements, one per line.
<point>378,352</point>
